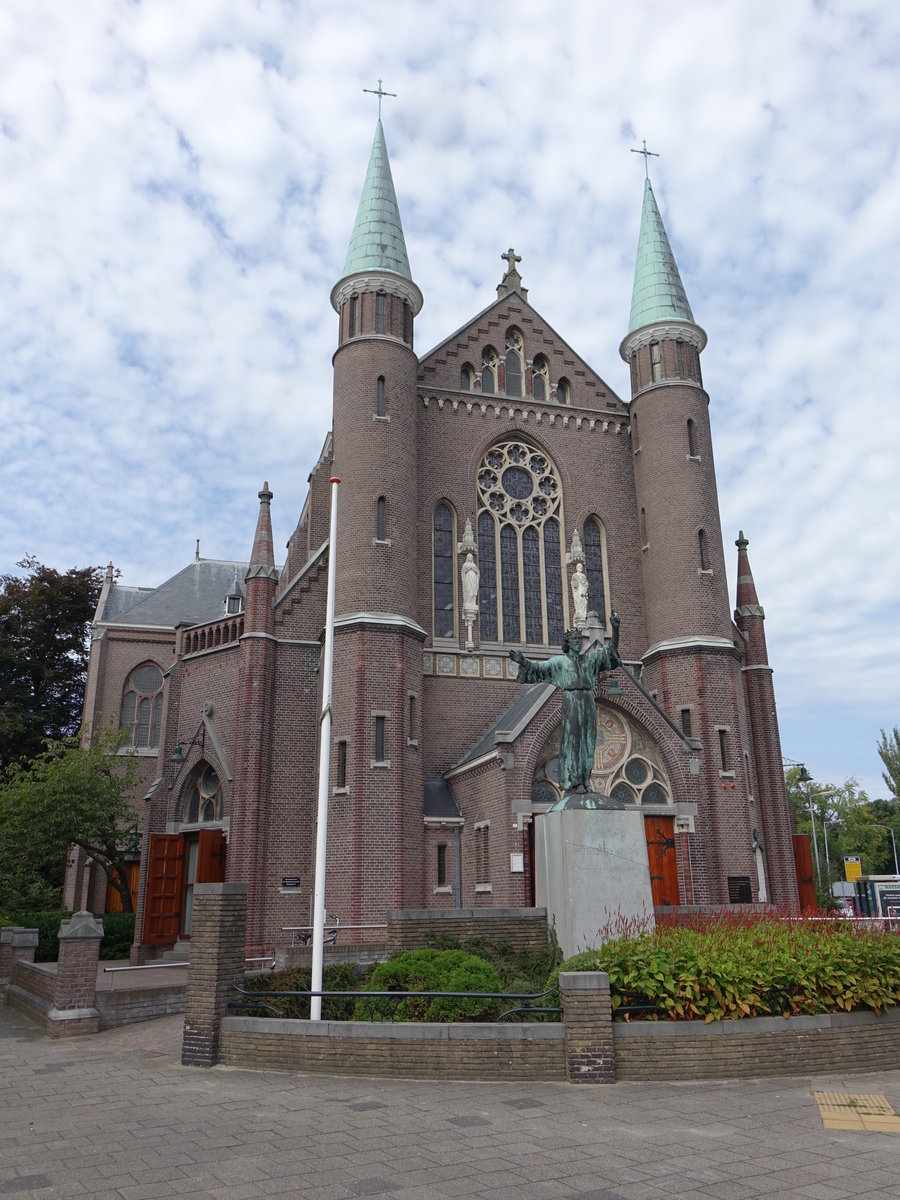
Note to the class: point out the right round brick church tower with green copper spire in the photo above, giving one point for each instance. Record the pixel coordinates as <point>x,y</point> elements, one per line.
<point>691,662</point>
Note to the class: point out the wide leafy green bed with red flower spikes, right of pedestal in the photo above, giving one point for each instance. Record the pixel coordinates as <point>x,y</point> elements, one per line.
<point>751,967</point>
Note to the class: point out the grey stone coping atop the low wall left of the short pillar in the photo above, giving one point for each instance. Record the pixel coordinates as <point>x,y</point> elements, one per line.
<point>397,1031</point>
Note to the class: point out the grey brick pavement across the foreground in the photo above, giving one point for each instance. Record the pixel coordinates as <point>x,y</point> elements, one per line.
<point>117,1118</point>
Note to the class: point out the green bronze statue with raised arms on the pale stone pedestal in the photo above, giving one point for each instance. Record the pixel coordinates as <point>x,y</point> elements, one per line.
<point>575,675</point>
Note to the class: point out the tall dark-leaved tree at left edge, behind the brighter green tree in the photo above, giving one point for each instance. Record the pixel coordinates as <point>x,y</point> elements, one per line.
<point>45,620</point>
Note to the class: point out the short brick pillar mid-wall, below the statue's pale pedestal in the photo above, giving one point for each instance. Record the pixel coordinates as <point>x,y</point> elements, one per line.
<point>587,1016</point>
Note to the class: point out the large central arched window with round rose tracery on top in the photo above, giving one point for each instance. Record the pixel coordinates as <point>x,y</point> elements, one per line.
<point>520,547</point>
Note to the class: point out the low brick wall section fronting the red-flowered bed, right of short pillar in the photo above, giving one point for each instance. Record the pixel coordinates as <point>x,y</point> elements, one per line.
<point>761,1046</point>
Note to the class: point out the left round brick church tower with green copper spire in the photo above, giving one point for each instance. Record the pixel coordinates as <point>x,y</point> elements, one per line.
<point>377,808</point>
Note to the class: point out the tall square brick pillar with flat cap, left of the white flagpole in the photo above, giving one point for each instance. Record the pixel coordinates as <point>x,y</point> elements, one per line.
<point>219,927</point>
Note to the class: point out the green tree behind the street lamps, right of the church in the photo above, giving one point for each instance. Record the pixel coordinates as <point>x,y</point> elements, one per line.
<point>844,820</point>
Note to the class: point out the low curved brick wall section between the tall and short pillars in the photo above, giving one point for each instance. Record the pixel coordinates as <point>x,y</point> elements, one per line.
<point>398,1051</point>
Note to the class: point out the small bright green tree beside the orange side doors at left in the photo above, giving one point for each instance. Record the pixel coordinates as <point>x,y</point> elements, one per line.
<point>65,797</point>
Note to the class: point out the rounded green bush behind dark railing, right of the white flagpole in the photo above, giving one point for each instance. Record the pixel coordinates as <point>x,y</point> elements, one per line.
<point>433,970</point>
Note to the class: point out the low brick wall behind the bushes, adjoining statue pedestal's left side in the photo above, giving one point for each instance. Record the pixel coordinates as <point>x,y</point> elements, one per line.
<point>411,929</point>
